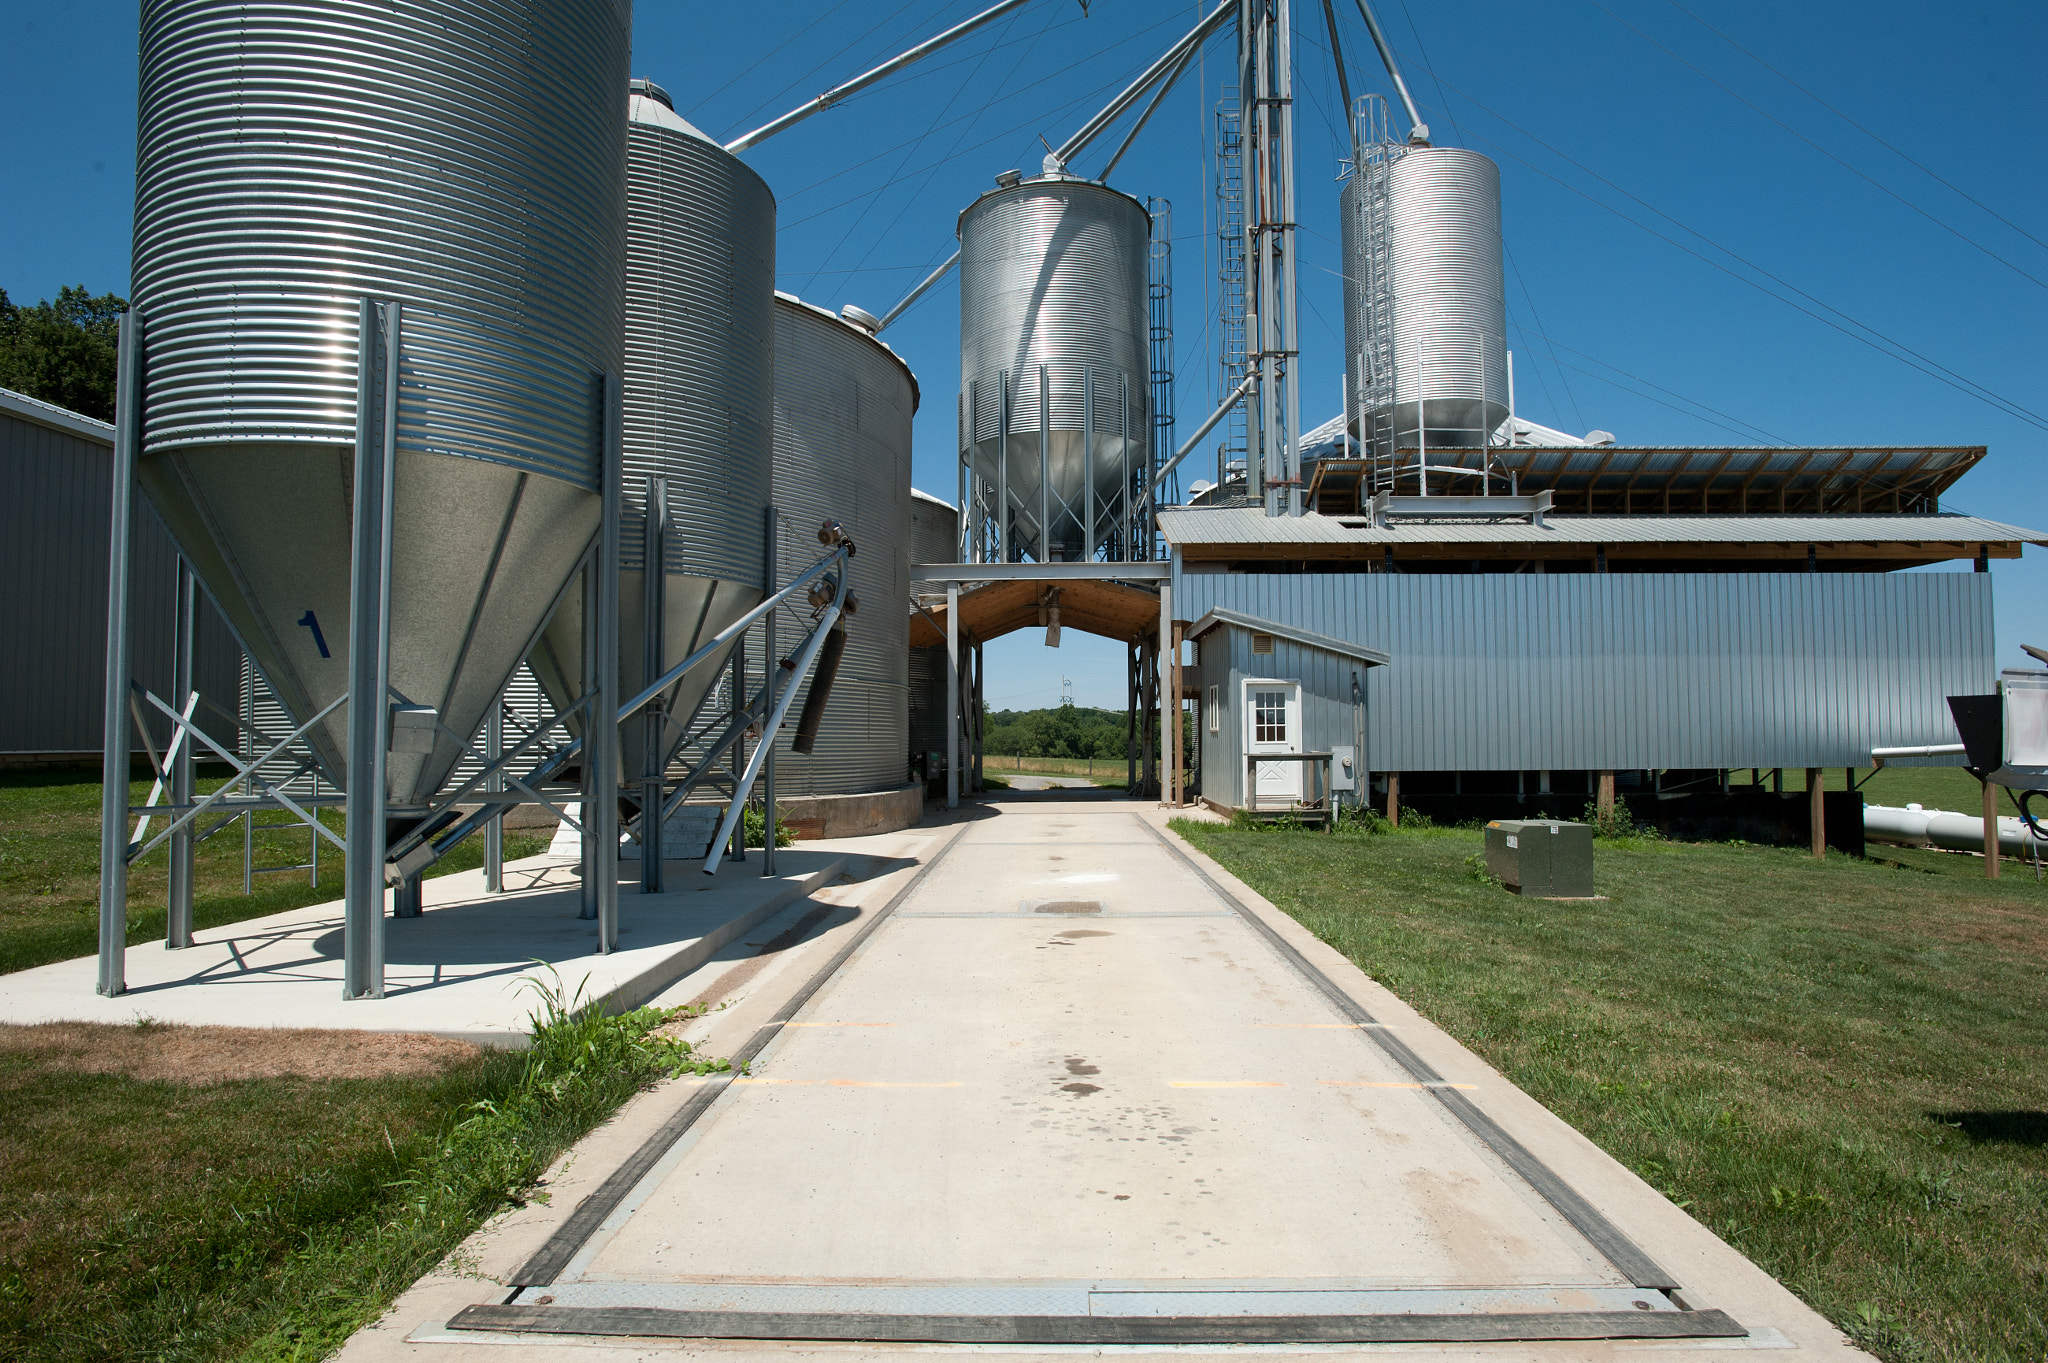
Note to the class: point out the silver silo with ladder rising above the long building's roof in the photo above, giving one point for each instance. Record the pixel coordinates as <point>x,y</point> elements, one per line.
<point>1426,316</point>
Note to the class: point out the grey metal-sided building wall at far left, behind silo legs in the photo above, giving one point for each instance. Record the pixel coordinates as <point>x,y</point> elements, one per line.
<point>54,611</point>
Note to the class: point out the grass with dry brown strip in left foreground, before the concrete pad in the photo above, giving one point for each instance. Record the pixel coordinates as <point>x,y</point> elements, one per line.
<point>155,1211</point>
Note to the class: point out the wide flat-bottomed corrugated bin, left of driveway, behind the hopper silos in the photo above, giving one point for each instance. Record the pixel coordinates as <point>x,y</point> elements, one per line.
<point>843,416</point>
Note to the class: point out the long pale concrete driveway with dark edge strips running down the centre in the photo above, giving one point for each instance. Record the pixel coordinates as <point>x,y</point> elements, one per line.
<point>1140,1112</point>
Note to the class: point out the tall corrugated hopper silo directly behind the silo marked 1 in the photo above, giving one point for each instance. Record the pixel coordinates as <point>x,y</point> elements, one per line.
<point>699,402</point>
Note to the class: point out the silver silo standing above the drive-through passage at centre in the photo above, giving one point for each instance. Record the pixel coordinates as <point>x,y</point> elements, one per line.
<point>1054,283</point>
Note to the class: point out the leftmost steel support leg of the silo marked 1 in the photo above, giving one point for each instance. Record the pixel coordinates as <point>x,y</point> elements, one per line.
<point>116,734</point>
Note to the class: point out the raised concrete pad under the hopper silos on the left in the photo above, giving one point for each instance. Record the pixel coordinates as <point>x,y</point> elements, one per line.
<point>460,969</point>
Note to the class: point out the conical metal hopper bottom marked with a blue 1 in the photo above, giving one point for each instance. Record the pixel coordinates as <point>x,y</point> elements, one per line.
<point>478,558</point>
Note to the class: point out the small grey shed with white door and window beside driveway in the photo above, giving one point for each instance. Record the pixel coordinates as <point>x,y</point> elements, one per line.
<point>1269,687</point>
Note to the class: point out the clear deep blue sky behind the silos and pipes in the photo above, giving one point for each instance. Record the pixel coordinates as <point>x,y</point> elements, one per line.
<point>1654,169</point>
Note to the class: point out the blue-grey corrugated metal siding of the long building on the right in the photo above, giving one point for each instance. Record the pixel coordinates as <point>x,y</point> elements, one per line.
<point>1635,670</point>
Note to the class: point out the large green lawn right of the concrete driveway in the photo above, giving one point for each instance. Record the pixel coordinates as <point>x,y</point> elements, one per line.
<point>1840,1067</point>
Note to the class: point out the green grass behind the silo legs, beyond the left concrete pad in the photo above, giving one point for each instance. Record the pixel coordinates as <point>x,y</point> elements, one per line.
<point>50,869</point>
